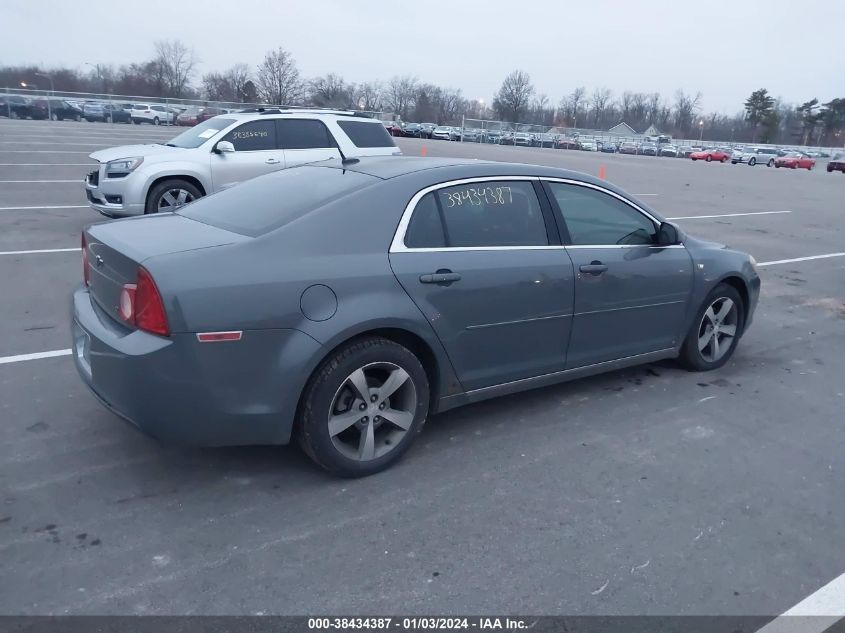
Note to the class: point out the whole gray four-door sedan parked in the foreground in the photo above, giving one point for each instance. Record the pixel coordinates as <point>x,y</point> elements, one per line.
<point>342,303</point>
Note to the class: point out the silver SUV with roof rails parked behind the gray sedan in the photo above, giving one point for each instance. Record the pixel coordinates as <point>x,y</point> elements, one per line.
<point>223,151</point>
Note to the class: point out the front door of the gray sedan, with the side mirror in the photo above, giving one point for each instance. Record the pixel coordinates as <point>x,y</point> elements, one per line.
<point>631,296</point>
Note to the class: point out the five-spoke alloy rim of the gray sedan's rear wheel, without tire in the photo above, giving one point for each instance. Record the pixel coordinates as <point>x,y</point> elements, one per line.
<point>372,411</point>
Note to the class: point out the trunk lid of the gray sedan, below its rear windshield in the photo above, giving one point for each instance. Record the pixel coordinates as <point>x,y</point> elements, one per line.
<point>116,249</point>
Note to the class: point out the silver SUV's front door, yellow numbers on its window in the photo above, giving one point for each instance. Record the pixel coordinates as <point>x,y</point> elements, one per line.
<point>256,153</point>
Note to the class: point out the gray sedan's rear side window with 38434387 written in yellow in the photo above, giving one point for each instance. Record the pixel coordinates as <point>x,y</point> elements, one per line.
<point>499,213</point>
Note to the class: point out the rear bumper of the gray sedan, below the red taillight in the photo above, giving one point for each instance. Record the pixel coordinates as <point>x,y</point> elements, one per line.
<point>184,392</point>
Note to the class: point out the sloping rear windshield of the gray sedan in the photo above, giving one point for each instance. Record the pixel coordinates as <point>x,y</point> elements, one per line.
<point>271,201</point>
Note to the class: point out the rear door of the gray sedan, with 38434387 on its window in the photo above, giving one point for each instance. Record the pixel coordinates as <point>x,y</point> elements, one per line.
<point>481,259</point>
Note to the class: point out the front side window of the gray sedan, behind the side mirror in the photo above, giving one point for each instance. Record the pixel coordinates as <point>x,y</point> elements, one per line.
<point>595,218</point>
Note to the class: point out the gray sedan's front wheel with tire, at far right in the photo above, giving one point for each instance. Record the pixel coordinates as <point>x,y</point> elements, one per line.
<point>715,331</point>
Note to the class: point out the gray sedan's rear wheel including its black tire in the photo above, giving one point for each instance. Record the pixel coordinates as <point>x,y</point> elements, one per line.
<point>363,407</point>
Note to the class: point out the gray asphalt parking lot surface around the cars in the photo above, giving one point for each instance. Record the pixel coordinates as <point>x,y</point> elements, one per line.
<point>645,491</point>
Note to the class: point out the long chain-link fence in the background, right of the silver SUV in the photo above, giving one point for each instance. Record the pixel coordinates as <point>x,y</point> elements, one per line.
<point>526,134</point>
